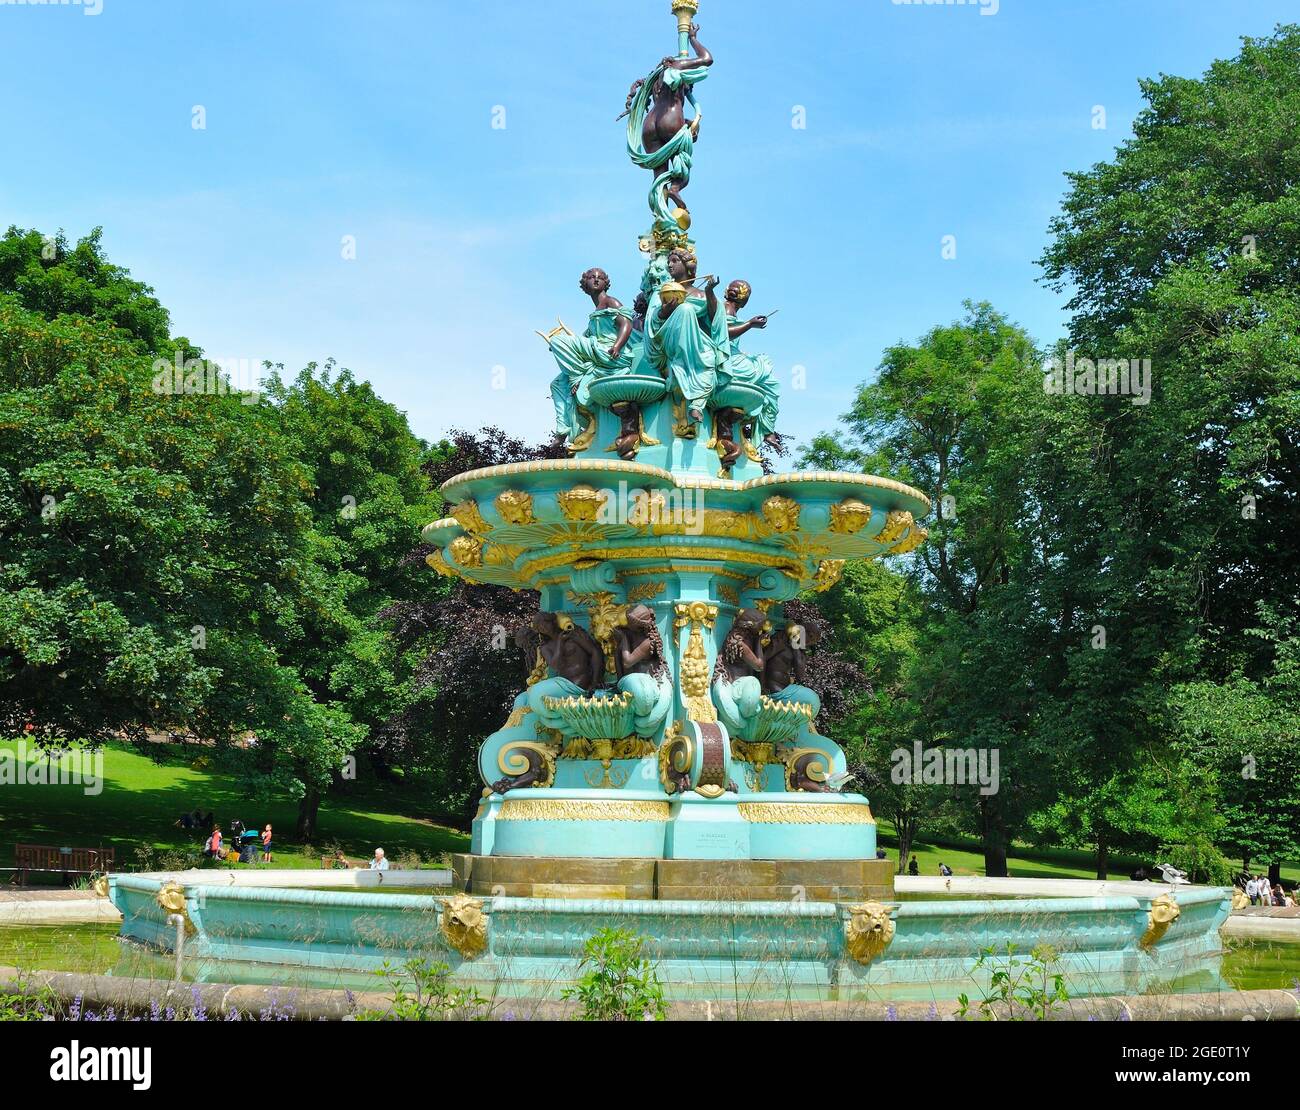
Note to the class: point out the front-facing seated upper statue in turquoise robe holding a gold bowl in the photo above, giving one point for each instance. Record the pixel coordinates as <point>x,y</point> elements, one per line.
<point>687,339</point>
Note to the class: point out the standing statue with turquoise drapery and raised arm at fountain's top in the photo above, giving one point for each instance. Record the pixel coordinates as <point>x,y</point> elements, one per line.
<point>660,137</point>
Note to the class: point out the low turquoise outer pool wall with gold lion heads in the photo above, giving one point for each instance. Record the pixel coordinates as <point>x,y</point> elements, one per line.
<point>791,949</point>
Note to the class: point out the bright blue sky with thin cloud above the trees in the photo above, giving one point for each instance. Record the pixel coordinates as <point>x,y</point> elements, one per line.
<point>374,119</point>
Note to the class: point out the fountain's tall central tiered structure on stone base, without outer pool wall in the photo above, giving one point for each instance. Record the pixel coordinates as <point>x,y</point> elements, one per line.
<point>665,717</point>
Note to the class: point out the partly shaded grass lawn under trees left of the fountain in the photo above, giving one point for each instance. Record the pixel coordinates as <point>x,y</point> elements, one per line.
<point>142,800</point>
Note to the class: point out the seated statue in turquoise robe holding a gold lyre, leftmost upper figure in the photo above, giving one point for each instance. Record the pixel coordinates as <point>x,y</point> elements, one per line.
<point>606,348</point>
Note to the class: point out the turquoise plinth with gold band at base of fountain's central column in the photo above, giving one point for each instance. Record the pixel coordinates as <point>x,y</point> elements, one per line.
<point>649,825</point>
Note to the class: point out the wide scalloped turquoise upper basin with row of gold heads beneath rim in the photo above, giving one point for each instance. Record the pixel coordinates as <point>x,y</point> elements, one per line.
<point>519,524</point>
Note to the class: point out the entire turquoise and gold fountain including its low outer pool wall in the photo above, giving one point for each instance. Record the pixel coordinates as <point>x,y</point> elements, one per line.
<point>664,768</point>
